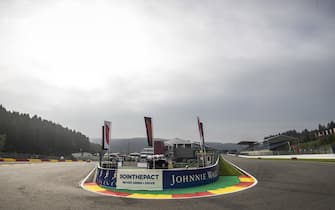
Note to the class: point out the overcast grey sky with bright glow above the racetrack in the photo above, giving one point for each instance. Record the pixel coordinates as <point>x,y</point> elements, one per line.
<point>247,68</point>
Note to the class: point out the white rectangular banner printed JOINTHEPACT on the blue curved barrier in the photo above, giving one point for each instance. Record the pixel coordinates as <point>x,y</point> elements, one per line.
<point>139,179</point>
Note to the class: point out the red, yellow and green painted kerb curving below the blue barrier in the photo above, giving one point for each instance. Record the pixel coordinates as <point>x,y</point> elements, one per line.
<point>224,185</point>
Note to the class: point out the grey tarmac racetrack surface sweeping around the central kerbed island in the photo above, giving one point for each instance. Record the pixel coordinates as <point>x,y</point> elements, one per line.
<point>282,184</point>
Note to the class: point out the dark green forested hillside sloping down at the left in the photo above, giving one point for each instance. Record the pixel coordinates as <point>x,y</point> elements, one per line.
<point>21,133</point>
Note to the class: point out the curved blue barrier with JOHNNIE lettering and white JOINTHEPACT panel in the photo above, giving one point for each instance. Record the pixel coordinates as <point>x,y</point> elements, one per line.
<point>156,179</point>
